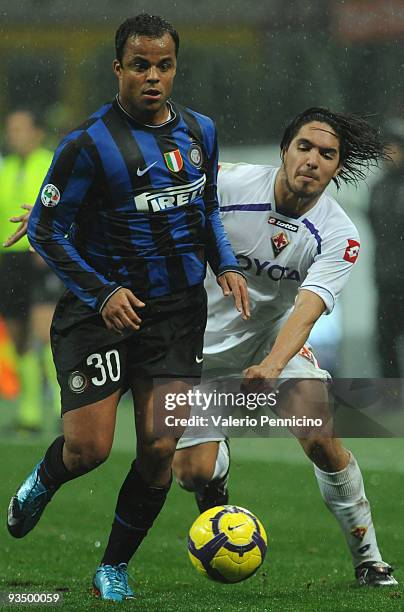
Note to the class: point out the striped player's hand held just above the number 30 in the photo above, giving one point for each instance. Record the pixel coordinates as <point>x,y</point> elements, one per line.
<point>119,311</point>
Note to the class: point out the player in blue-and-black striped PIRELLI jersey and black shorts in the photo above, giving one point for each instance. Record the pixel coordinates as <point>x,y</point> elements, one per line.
<point>128,218</point>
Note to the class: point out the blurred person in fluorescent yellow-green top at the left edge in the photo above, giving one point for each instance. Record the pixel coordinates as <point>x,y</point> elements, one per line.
<point>21,175</point>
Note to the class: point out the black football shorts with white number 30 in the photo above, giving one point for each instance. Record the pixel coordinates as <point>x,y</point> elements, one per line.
<point>93,362</point>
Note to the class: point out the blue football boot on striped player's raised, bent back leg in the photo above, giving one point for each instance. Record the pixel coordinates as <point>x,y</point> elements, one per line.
<point>26,506</point>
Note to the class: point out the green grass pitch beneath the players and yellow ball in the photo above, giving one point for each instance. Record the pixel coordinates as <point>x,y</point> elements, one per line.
<point>307,566</point>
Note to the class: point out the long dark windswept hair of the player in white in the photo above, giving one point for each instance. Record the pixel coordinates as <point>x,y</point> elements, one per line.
<point>361,146</point>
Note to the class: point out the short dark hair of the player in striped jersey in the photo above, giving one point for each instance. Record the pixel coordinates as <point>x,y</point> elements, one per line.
<point>144,24</point>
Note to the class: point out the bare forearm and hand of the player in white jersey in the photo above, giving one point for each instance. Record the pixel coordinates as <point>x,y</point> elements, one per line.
<point>291,338</point>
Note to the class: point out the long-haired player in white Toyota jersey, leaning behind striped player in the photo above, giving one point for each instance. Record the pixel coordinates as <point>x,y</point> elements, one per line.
<point>297,248</point>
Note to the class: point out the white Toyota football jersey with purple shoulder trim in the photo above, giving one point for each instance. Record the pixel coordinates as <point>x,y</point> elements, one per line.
<point>279,254</point>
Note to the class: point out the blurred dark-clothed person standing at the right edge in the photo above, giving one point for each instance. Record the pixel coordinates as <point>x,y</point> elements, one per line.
<point>386,215</point>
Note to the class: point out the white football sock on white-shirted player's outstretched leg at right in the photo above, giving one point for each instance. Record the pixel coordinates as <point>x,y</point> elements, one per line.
<point>344,494</point>
